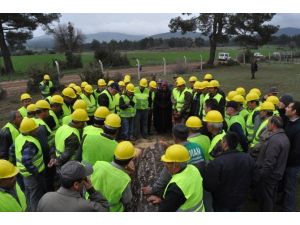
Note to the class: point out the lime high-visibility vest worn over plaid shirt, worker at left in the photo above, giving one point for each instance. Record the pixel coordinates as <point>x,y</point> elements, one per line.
<point>37,160</point>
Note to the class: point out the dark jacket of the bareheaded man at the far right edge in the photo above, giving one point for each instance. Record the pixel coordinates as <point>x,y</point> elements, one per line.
<point>292,130</point>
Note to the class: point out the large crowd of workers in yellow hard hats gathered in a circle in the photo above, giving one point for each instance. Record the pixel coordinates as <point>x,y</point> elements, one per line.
<point>73,150</point>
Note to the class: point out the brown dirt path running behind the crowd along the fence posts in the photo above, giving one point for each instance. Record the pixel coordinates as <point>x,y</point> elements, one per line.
<point>15,88</point>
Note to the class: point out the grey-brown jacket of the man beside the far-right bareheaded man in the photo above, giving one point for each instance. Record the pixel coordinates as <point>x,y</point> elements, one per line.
<point>272,158</point>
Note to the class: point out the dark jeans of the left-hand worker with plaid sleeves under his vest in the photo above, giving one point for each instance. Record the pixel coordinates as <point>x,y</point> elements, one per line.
<point>35,188</point>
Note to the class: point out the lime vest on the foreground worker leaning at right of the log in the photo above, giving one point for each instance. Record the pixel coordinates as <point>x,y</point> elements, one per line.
<point>190,183</point>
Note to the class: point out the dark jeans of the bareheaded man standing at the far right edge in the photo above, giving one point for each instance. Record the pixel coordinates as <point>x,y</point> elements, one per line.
<point>289,189</point>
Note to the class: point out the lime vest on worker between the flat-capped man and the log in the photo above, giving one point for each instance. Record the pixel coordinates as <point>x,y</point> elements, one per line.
<point>111,182</point>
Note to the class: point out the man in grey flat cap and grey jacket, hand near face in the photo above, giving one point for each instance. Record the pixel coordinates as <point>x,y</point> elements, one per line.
<point>68,198</point>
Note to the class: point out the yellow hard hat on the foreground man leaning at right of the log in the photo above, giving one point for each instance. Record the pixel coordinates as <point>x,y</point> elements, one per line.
<point>176,153</point>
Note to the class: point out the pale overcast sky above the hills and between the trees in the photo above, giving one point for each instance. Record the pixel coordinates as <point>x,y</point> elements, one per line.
<point>144,24</point>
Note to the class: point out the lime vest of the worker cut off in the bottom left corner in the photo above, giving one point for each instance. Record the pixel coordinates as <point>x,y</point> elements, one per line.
<point>10,204</point>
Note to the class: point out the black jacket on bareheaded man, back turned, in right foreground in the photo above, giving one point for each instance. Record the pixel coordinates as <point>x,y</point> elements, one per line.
<point>228,177</point>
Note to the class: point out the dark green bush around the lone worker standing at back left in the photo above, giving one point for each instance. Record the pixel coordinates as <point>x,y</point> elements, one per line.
<point>36,74</point>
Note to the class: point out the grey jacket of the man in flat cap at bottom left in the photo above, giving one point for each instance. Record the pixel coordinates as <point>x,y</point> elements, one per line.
<point>65,200</point>
